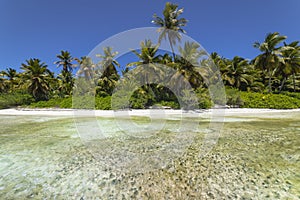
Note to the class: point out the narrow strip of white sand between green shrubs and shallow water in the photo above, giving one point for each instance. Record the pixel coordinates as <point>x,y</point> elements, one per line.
<point>149,112</point>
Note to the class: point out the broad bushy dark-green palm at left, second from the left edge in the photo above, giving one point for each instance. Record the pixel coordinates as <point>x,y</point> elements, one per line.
<point>38,76</point>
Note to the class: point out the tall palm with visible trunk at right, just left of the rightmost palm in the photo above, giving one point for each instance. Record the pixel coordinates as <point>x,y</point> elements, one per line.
<point>271,55</point>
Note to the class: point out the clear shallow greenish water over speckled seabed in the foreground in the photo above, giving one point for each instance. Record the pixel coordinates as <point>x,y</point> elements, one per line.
<point>44,157</point>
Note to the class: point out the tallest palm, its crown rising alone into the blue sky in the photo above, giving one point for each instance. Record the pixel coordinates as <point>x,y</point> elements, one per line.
<point>170,25</point>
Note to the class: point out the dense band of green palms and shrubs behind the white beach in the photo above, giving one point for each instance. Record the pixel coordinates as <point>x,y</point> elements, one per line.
<point>270,80</point>
